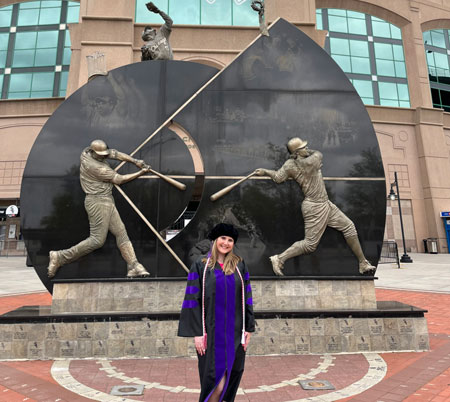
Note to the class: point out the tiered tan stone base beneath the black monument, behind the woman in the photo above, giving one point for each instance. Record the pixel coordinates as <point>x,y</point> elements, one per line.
<point>40,332</point>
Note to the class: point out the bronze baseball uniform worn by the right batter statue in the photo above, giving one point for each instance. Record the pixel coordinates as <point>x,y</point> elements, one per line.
<point>318,211</point>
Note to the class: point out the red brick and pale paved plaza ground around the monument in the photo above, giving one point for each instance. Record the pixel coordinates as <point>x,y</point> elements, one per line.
<point>359,377</point>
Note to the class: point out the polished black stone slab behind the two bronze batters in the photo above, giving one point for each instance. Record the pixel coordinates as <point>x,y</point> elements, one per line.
<point>282,86</point>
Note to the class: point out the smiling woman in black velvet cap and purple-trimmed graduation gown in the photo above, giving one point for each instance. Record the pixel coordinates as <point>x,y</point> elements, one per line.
<point>218,296</point>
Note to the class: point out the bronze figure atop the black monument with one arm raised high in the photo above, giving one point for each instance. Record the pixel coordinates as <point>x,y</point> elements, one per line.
<point>157,46</point>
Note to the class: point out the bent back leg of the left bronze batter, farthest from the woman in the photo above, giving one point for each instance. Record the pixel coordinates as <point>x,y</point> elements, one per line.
<point>99,213</point>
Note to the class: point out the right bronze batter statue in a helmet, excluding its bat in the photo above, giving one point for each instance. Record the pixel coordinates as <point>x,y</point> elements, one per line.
<point>304,166</point>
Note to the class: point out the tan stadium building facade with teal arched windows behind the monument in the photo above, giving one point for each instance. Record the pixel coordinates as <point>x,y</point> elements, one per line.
<point>396,54</point>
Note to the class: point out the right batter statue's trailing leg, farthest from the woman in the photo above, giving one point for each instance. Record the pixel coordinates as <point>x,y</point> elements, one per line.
<point>341,222</point>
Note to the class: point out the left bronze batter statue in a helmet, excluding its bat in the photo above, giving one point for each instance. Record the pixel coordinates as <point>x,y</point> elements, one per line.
<point>97,179</point>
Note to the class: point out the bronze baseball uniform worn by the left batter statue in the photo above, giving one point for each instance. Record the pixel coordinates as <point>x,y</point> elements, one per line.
<point>96,180</point>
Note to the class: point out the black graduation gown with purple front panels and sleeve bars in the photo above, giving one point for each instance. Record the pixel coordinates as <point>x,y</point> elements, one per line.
<point>223,320</point>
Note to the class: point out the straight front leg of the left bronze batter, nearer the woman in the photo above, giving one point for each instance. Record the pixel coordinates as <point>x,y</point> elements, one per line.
<point>117,228</point>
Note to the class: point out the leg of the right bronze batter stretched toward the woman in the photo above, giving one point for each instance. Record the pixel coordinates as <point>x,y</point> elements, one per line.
<point>315,216</point>
